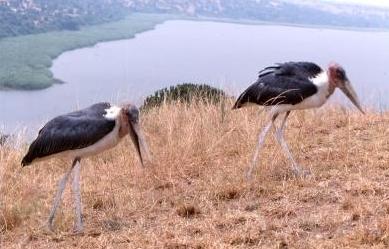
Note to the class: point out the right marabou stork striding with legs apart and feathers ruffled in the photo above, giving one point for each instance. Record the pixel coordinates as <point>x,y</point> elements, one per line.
<point>293,86</point>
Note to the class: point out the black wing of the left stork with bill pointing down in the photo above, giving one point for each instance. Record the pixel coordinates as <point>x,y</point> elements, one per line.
<point>72,131</point>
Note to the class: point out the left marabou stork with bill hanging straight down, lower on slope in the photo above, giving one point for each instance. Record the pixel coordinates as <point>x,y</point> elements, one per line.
<point>83,133</point>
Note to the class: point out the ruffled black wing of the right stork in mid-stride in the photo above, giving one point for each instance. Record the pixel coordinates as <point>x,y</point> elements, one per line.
<point>287,83</point>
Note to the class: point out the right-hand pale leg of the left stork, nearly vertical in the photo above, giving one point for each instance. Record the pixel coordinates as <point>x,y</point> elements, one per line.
<point>78,226</point>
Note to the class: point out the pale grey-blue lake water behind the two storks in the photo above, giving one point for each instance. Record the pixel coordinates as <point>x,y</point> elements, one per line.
<point>224,55</point>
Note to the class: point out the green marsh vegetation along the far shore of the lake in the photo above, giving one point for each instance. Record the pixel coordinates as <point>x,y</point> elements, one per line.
<point>25,61</point>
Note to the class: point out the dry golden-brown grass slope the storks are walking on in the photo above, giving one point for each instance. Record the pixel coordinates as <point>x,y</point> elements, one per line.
<point>195,194</point>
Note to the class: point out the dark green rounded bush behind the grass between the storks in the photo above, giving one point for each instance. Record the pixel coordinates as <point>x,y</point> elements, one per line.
<point>186,93</point>
